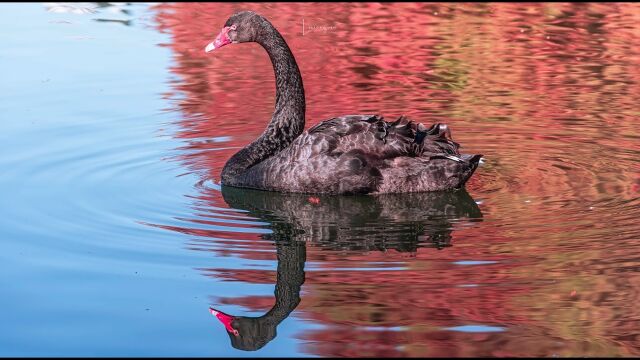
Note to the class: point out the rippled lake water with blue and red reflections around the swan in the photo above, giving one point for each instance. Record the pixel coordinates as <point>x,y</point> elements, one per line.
<point>115,238</point>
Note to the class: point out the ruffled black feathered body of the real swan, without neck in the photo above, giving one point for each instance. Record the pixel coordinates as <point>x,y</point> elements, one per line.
<point>365,154</point>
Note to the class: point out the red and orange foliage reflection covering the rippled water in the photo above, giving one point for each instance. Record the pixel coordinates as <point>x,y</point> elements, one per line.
<point>547,91</point>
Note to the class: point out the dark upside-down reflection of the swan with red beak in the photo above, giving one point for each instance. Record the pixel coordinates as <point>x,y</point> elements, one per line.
<point>402,222</point>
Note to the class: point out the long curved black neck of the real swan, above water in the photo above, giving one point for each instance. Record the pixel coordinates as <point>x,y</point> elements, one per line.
<point>287,121</point>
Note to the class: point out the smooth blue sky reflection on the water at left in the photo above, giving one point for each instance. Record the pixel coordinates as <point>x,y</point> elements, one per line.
<point>82,165</point>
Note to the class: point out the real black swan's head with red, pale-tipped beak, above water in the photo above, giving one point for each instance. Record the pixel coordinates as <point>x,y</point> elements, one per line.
<point>243,26</point>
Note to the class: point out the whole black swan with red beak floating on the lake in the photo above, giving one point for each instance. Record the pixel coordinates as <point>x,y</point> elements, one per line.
<point>351,154</point>
